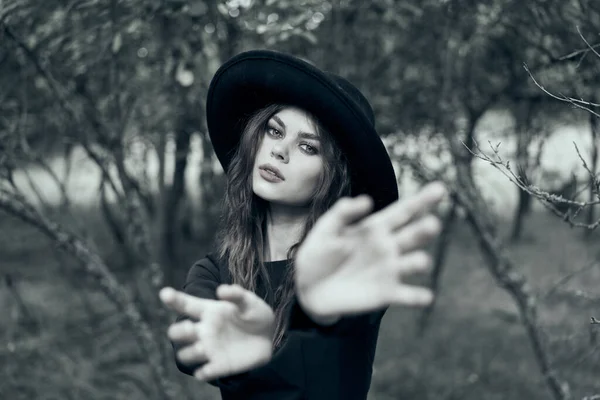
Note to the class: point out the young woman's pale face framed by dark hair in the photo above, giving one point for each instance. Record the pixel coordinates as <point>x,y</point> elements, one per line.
<point>291,145</point>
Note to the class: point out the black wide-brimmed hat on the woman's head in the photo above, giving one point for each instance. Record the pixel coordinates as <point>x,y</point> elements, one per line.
<point>252,80</point>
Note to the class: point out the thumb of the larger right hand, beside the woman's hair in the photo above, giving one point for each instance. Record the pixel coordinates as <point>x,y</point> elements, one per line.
<point>346,211</point>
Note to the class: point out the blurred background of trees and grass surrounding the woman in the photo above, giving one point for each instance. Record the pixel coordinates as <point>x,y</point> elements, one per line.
<point>109,188</point>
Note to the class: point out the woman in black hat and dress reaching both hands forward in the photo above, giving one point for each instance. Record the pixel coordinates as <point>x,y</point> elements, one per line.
<point>289,304</point>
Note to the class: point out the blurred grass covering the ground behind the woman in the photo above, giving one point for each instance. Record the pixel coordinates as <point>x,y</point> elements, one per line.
<point>76,346</point>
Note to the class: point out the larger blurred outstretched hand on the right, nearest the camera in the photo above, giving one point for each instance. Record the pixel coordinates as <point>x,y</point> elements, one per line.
<point>352,262</point>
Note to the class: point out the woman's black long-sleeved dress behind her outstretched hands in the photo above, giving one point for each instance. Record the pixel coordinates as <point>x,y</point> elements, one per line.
<point>315,362</point>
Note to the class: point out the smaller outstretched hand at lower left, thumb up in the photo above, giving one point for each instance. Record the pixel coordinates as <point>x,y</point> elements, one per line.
<point>233,334</point>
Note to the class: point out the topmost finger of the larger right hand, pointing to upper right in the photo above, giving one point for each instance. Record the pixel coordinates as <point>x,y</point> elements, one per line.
<point>401,212</point>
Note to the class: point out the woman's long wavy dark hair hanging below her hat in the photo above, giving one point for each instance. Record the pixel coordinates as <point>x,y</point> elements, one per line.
<point>241,237</point>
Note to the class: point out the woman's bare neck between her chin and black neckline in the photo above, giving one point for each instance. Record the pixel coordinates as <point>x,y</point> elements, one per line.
<point>284,228</point>
